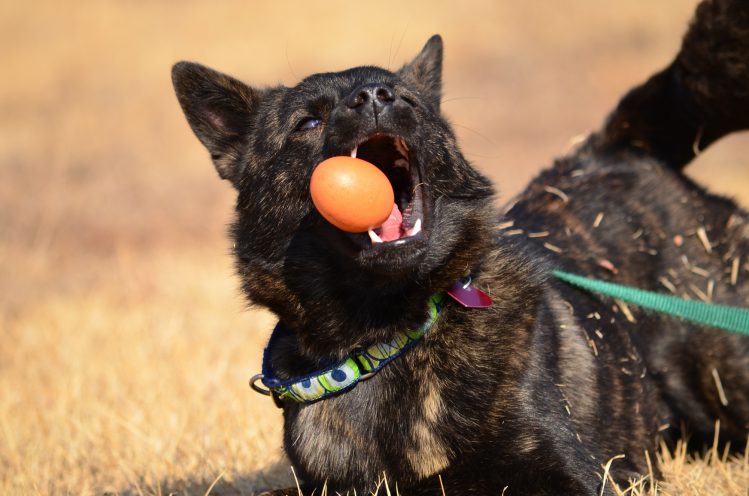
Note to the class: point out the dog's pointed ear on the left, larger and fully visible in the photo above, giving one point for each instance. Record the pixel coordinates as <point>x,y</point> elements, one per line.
<point>218,109</point>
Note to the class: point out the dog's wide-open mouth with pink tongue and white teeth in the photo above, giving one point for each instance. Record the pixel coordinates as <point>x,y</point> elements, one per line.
<point>392,156</point>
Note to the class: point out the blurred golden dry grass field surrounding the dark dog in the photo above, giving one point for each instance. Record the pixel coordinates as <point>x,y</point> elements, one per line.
<point>126,347</point>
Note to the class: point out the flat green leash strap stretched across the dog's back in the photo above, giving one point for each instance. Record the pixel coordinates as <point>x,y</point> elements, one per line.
<point>723,317</point>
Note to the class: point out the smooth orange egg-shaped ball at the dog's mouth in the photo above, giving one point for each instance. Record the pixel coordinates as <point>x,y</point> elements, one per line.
<point>351,193</point>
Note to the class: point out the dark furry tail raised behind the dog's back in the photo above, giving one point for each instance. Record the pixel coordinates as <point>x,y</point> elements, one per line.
<point>702,96</point>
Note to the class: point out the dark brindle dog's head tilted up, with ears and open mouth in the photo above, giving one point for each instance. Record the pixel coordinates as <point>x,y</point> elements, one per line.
<point>267,143</point>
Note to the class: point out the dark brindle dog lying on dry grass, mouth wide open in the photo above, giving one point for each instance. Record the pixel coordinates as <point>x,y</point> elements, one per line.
<point>539,391</point>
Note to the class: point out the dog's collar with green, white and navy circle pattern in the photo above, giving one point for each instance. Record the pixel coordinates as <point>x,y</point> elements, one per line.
<point>344,375</point>
